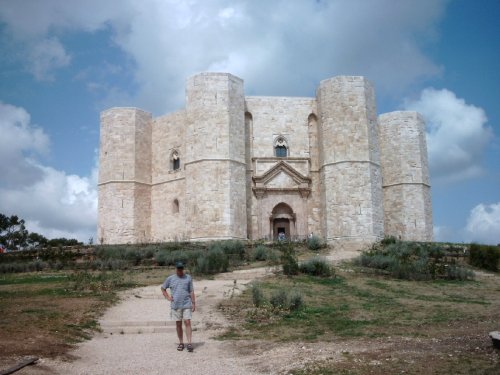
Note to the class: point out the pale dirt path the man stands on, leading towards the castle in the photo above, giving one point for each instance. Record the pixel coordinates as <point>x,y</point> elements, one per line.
<point>138,338</point>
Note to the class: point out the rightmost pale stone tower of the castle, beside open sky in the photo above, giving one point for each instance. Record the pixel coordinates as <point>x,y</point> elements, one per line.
<point>406,182</point>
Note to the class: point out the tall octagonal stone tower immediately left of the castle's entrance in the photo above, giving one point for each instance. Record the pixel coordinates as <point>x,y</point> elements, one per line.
<point>215,157</point>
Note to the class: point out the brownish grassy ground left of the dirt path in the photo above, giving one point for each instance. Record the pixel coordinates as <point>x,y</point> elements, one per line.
<point>44,313</point>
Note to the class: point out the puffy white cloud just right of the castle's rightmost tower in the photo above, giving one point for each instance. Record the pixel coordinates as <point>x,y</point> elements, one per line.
<point>457,134</point>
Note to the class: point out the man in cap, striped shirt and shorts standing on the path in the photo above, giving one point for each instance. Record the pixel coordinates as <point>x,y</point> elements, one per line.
<point>182,302</point>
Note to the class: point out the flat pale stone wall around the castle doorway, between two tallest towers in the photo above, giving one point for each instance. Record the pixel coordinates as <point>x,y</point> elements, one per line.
<point>272,117</point>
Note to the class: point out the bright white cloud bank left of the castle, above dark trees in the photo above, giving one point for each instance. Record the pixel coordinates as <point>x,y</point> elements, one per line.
<point>52,202</point>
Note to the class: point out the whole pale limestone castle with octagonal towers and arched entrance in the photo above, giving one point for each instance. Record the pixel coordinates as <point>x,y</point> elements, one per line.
<point>231,166</point>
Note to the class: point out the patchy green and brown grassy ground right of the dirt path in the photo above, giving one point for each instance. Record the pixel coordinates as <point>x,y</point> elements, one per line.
<point>429,327</point>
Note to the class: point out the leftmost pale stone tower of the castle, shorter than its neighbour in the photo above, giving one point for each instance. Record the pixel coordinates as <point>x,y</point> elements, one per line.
<point>124,210</point>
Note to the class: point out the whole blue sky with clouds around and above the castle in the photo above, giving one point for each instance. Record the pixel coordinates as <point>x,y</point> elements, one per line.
<point>64,61</point>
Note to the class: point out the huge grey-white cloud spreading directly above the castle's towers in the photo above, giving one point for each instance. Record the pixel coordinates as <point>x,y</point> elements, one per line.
<point>265,43</point>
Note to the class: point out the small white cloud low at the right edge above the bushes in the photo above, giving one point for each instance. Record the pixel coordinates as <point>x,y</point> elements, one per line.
<point>483,224</point>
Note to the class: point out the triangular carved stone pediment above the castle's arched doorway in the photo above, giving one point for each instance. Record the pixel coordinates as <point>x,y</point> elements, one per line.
<point>281,178</point>
